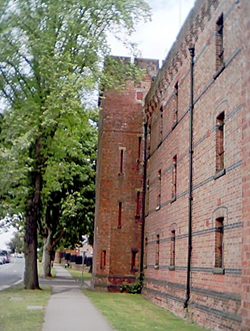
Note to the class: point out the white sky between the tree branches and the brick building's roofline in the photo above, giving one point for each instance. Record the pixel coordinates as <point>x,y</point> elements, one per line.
<point>155,38</point>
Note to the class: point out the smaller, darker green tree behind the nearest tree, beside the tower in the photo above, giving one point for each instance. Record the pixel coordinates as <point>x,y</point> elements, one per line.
<point>69,193</point>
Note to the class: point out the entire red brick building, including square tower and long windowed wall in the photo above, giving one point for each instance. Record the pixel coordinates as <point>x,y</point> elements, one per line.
<point>187,207</point>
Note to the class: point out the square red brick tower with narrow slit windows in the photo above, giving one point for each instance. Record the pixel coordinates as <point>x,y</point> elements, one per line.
<point>119,183</point>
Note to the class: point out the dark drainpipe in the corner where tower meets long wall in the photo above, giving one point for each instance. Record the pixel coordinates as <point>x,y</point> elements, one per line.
<point>143,197</point>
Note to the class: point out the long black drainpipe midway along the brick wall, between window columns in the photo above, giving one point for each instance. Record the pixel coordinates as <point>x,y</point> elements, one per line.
<point>191,50</point>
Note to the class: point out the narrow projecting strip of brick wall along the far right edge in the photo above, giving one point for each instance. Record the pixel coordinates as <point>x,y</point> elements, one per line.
<point>245,306</point>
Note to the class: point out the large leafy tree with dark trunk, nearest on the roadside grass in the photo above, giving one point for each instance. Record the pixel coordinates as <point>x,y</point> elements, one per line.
<point>50,55</point>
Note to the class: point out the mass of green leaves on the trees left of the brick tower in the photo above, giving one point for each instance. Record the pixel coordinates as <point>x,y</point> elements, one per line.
<point>50,59</point>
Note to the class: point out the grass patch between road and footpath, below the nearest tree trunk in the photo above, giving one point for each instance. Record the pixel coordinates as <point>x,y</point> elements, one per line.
<point>20,309</point>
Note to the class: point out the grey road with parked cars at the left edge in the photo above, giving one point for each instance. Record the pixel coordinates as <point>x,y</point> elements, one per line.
<point>11,273</point>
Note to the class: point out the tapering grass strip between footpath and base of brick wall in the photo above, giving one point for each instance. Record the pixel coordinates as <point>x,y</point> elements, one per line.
<point>131,312</point>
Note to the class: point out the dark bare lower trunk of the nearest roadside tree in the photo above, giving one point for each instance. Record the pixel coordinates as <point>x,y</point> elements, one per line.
<point>30,239</point>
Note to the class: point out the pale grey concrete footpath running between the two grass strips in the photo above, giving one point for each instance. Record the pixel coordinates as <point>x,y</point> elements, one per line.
<point>68,308</point>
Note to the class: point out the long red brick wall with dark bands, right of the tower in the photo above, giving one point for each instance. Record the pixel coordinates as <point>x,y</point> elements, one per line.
<point>215,291</point>
